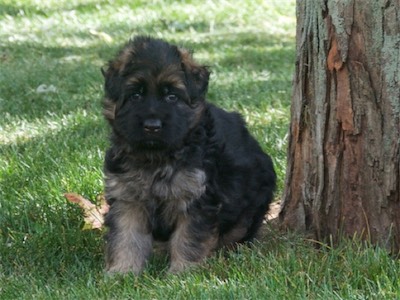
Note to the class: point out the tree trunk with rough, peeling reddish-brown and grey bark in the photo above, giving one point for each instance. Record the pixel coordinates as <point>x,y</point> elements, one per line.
<point>343,172</point>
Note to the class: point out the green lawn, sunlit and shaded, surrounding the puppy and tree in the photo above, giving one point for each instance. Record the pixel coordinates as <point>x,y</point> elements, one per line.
<point>53,142</point>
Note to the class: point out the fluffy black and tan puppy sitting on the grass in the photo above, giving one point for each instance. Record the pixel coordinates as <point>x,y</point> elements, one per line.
<point>179,169</point>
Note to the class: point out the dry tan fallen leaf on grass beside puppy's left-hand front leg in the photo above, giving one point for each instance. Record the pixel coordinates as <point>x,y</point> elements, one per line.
<point>93,214</point>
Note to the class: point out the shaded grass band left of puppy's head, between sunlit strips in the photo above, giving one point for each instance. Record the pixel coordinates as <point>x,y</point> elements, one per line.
<point>74,72</point>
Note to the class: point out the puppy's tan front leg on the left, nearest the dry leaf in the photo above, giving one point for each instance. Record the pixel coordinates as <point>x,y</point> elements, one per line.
<point>129,240</point>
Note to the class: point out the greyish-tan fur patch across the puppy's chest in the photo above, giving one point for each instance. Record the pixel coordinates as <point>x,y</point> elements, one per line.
<point>164,184</point>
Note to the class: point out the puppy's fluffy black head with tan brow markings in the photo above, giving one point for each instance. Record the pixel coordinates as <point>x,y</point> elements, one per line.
<point>154,94</point>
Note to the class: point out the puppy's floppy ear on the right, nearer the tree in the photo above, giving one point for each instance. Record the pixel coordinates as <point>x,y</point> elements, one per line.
<point>197,76</point>
